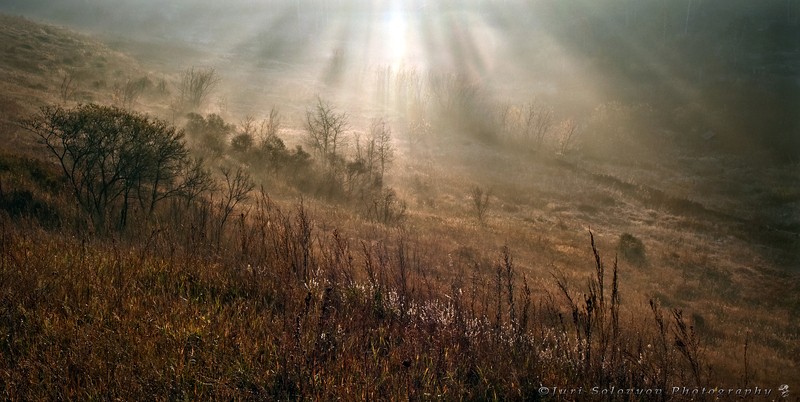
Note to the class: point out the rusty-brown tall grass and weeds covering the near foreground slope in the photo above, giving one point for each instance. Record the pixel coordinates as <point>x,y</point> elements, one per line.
<point>277,308</point>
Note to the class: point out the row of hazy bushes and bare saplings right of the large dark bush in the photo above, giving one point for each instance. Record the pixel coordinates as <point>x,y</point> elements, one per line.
<point>339,164</point>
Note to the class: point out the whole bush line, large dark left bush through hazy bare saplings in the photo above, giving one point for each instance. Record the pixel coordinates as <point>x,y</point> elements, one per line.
<point>118,162</point>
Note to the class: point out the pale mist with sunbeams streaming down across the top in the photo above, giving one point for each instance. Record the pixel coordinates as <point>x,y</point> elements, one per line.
<point>726,69</point>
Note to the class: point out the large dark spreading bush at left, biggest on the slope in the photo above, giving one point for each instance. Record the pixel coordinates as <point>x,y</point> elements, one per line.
<point>114,159</point>
